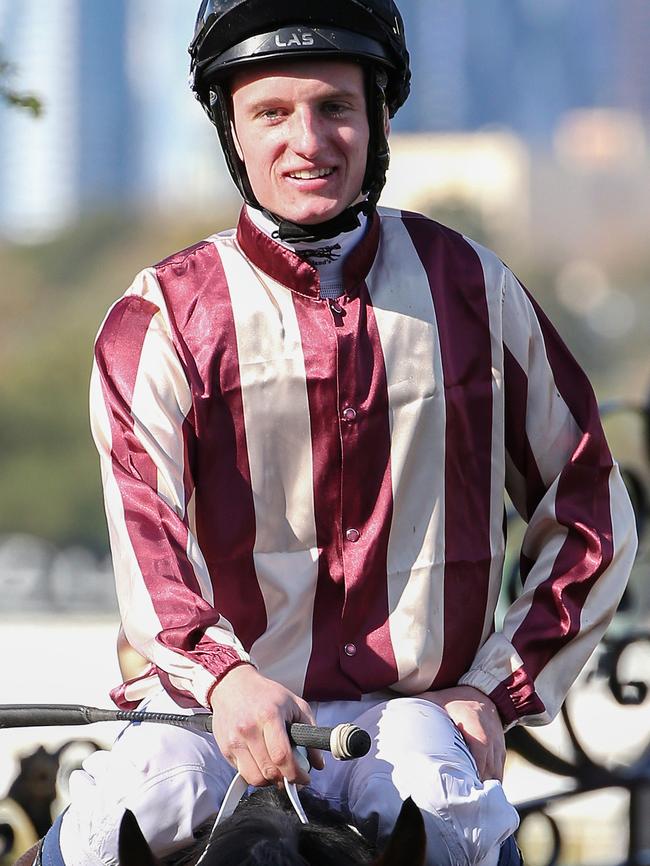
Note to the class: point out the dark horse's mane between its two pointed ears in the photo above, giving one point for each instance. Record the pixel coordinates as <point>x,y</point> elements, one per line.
<point>265,831</point>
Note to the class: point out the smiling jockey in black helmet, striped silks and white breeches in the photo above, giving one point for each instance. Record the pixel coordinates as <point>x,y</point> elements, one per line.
<point>307,425</point>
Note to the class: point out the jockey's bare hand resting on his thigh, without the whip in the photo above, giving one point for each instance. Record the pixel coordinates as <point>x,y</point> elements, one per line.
<point>476,717</point>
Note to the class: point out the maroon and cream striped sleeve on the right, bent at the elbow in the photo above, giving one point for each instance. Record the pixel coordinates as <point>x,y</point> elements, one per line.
<point>580,540</point>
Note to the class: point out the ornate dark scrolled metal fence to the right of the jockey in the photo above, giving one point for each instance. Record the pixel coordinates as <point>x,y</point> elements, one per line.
<point>576,767</point>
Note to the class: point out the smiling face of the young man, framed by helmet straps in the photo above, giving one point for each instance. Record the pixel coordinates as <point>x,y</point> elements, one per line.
<point>301,129</point>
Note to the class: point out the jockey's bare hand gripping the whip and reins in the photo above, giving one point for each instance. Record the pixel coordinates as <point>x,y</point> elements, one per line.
<point>250,713</point>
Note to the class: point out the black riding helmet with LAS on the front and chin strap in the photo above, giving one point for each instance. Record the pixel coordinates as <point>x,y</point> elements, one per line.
<point>231,33</point>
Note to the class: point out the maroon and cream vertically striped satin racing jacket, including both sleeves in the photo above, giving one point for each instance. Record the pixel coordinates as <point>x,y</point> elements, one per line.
<point>318,486</point>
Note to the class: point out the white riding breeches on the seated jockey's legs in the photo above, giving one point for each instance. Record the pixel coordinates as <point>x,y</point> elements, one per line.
<point>174,779</point>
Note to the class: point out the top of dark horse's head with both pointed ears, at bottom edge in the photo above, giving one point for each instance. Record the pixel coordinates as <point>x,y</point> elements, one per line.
<point>265,830</point>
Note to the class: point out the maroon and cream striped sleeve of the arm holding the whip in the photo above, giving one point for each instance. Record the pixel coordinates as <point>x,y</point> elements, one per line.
<point>141,419</point>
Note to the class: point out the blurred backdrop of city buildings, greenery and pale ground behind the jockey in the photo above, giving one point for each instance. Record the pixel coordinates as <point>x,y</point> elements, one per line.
<point>528,128</point>
